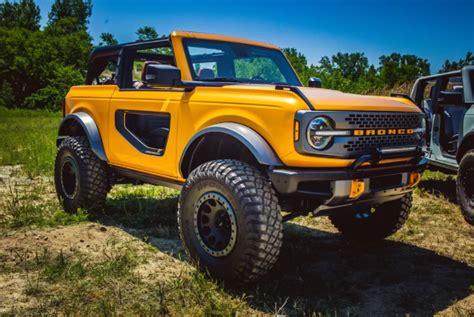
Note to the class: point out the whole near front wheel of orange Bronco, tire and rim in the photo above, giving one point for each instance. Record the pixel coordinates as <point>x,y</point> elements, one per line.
<point>230,221</point>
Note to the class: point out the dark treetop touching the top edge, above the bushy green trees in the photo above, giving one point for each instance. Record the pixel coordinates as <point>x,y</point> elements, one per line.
<point>80,10</point>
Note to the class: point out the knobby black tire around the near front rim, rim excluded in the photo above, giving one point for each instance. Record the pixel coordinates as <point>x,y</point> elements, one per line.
<point>257,213</point>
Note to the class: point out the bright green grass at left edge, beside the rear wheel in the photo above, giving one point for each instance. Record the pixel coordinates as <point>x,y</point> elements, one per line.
<point>28,138</point>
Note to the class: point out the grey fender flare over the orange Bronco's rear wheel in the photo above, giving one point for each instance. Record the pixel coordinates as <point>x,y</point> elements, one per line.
<point>90,129</point>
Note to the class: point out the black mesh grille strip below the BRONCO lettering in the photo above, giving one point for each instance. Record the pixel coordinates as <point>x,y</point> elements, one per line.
<point>377,141</point>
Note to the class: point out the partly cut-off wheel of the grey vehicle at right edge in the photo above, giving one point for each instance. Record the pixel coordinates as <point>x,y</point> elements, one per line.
<point>465,186</point>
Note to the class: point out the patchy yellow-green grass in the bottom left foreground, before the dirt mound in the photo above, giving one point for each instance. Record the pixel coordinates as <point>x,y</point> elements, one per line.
<point>65,284</point>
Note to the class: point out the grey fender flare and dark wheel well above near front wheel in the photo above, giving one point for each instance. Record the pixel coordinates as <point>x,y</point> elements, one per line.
<point>227,141</point>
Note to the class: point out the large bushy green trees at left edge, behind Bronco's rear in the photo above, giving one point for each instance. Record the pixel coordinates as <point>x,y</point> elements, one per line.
<point>38,67</point>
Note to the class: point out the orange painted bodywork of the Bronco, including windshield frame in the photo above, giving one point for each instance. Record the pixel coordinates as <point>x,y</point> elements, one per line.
<point>269,112</point>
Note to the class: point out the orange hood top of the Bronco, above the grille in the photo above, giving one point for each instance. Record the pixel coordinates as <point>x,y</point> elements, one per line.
<point>325,99</point>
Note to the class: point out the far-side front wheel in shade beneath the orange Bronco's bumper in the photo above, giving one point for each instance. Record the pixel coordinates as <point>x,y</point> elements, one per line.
<point>375,223</point>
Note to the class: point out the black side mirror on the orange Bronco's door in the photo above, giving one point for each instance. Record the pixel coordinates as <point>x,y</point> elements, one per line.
<point>161,75</point>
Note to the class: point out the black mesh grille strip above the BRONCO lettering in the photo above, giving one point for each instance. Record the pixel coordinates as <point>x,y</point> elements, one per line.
<point>384,120</point>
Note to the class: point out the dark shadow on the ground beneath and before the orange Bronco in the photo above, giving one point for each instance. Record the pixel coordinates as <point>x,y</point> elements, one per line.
<point>319,271</point>
